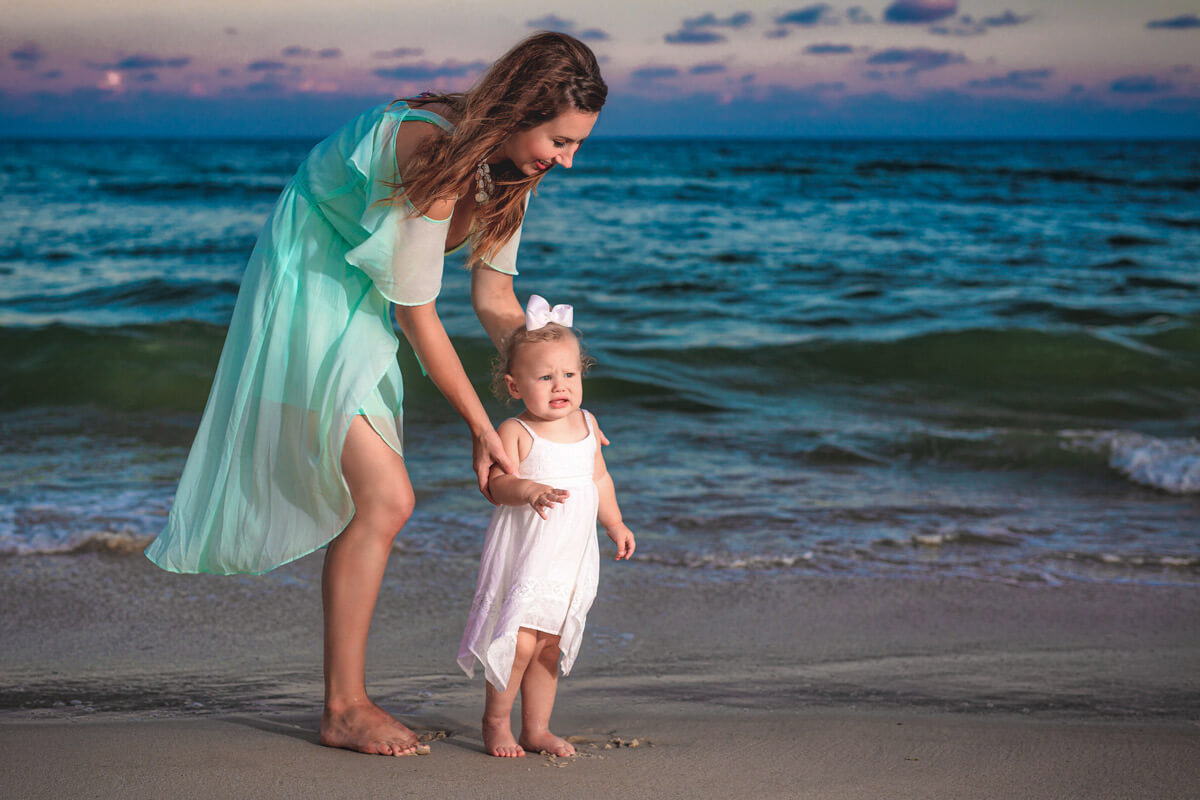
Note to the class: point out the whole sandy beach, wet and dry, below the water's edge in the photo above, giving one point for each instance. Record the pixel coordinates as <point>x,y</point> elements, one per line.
<point>121,681</point>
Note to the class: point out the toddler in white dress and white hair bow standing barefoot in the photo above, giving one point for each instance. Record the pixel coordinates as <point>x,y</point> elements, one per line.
<point>541,563</point>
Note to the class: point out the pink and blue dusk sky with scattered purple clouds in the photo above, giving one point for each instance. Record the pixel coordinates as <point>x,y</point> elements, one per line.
<point>1029,69</point>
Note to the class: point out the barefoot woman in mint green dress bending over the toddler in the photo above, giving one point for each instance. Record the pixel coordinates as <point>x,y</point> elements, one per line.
<point>301,443</point>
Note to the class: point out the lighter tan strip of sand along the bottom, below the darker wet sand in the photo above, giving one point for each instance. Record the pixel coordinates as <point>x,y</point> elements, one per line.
<point>703,755</point>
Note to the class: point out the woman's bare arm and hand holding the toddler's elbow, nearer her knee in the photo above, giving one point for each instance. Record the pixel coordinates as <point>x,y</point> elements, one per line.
<point>423,329</point>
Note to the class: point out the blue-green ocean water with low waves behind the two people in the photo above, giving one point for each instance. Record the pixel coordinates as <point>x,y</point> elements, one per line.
<point>919,359</point>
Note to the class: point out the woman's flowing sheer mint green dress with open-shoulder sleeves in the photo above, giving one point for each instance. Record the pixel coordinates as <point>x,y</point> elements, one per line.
<point>310,346</point>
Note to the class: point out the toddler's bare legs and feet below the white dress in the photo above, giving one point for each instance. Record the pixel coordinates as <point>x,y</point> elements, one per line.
<point>536,676</point>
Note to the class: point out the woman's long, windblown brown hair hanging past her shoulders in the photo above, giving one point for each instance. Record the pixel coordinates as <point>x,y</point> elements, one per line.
<point>542,77</point>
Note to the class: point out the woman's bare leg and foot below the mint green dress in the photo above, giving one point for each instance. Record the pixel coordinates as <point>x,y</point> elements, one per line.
<point>355,566</point>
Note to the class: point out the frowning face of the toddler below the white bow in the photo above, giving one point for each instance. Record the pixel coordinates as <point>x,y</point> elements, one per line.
<point>548,377</point>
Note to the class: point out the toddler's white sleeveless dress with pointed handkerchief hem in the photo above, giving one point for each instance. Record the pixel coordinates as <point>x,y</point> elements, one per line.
<point>538,574</point>
